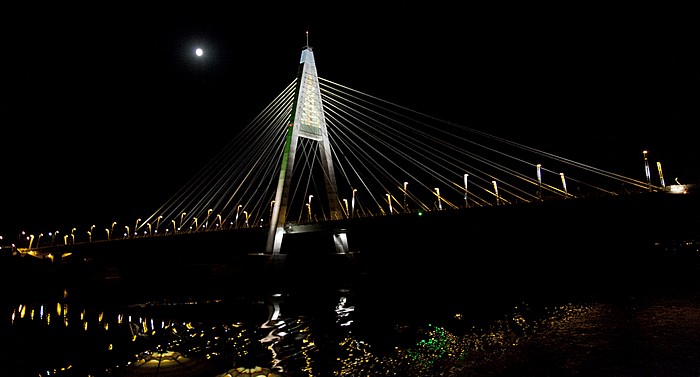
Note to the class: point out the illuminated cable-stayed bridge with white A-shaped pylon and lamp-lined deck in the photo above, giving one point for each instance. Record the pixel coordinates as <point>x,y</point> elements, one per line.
<point>322,156</point>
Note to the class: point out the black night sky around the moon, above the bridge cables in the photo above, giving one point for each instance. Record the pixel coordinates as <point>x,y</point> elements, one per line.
<point>106,111</point>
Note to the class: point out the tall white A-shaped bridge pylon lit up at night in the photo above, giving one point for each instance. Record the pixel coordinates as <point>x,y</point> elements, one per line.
<point>306,121</point>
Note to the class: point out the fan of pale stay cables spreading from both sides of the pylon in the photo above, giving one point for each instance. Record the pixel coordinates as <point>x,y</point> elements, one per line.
<point>387,158</point>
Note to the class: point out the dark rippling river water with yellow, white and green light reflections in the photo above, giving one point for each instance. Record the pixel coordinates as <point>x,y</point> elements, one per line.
<point>285,335</point>
